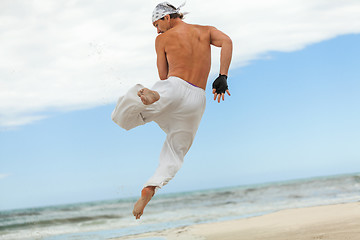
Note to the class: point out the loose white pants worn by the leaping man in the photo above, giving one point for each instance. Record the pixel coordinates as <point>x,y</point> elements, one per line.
<point>178,112</point>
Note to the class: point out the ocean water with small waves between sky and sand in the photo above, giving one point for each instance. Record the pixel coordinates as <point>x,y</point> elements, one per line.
<point>111,219</point>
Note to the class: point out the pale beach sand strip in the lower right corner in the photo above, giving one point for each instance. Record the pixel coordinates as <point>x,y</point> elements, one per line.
<point>332,222</point>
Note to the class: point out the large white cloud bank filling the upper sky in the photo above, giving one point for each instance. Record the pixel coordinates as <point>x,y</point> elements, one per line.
<point>68,55</point>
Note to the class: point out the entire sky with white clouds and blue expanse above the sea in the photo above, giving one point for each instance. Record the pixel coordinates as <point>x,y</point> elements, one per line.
<point>293,112</point>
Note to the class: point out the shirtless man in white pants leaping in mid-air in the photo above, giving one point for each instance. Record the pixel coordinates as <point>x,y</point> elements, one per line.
<point>176,102</point>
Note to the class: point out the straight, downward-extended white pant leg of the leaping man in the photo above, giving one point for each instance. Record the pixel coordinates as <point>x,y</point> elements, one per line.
<point>180,123</point>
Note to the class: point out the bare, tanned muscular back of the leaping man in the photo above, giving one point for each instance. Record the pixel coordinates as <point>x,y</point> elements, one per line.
<point>187,52</point>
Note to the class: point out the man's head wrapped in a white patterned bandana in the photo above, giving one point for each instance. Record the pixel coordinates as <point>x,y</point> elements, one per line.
<point>162,15</point>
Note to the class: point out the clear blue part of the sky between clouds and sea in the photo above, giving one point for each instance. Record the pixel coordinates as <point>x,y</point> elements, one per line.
<point>291,115</point>
